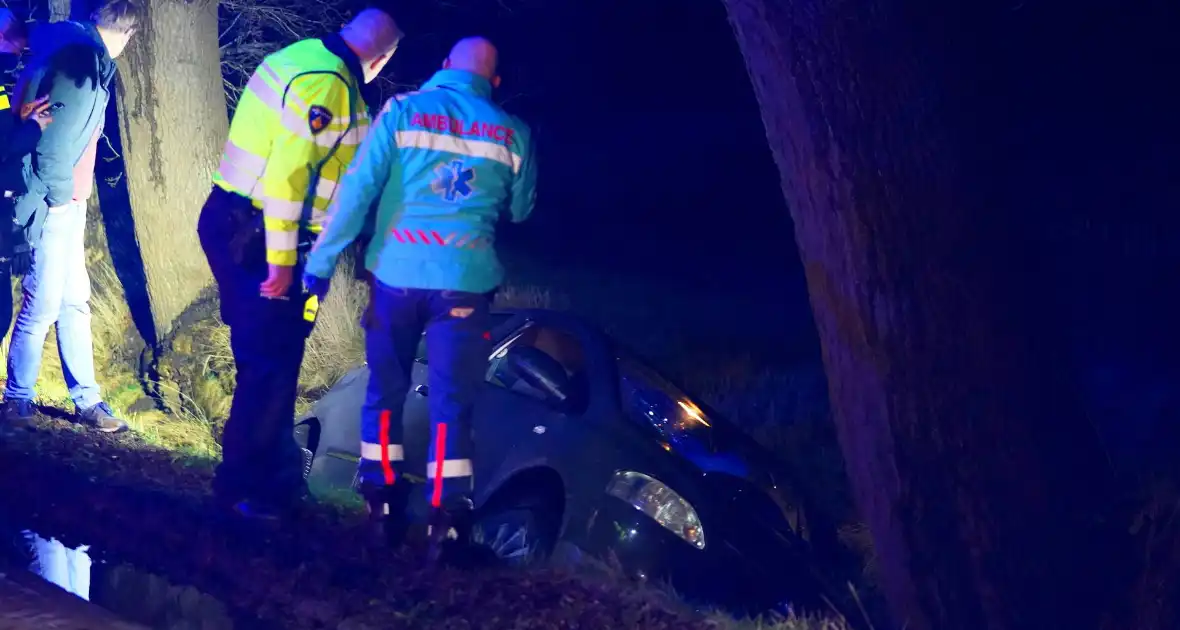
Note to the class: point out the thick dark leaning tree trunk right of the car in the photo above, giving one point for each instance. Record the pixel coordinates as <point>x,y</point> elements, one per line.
<point>972,478</point>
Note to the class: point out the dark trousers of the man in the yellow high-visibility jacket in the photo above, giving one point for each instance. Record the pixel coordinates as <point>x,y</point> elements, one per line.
<point>260,458</point>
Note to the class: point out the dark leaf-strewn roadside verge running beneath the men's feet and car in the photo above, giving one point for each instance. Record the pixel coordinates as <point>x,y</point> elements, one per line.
<point>149,508</point>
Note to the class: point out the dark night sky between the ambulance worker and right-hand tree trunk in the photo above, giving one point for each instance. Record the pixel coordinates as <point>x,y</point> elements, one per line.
<point>655,169</point>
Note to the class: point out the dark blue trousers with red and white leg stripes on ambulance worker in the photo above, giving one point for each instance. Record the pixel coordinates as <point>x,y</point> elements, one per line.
<point>456,325</point>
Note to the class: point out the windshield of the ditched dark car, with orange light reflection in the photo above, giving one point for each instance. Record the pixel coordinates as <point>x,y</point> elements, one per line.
<point>657,401</point>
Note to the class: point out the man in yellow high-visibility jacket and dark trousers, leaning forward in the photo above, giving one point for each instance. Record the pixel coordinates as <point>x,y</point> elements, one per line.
<point>297,129</point>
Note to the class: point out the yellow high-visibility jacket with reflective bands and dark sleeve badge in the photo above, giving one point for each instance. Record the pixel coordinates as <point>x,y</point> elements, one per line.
<point>297,128</point>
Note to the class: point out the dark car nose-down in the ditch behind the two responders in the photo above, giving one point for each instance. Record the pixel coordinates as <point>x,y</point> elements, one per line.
<point>585,450</point>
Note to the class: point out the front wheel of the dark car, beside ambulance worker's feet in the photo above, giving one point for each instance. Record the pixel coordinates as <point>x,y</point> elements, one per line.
<point>519,530</point>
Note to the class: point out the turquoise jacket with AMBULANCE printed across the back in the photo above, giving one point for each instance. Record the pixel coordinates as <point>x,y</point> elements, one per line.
<point>445,165</point>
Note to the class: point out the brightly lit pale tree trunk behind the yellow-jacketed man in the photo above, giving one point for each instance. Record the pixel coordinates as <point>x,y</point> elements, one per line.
<point>173,123</point>
